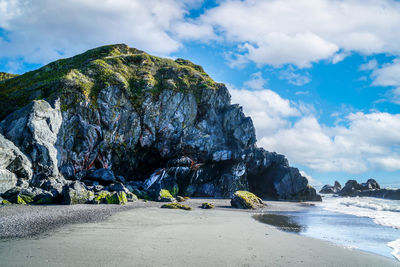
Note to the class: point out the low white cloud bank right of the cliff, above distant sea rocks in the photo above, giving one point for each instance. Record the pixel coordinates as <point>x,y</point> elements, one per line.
<point>359,143</point>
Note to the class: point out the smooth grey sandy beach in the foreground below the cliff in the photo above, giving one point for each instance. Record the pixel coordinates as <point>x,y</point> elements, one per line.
<point>142,234</point>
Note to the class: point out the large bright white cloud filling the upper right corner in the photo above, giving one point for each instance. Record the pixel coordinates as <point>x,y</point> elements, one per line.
<point>301,32</point>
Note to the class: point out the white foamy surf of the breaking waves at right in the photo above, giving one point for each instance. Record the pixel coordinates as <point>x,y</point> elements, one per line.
<point>382,211</point>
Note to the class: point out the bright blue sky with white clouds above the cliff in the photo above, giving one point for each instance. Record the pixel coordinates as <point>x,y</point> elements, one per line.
<point>320,78</point>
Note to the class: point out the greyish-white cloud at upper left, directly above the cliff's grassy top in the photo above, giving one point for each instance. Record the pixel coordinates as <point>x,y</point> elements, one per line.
<point>39,31</point>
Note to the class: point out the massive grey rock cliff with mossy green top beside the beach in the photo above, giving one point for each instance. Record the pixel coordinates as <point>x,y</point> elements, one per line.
<point>116,114</point>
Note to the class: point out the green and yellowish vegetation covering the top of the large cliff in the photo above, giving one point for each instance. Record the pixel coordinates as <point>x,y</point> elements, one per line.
<point>82,77</point>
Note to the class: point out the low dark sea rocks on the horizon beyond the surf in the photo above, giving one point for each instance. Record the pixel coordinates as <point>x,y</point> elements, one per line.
<point>352,188</point>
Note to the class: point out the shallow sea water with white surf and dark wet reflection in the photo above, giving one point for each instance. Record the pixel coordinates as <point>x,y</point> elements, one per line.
<point>364,223</point>
